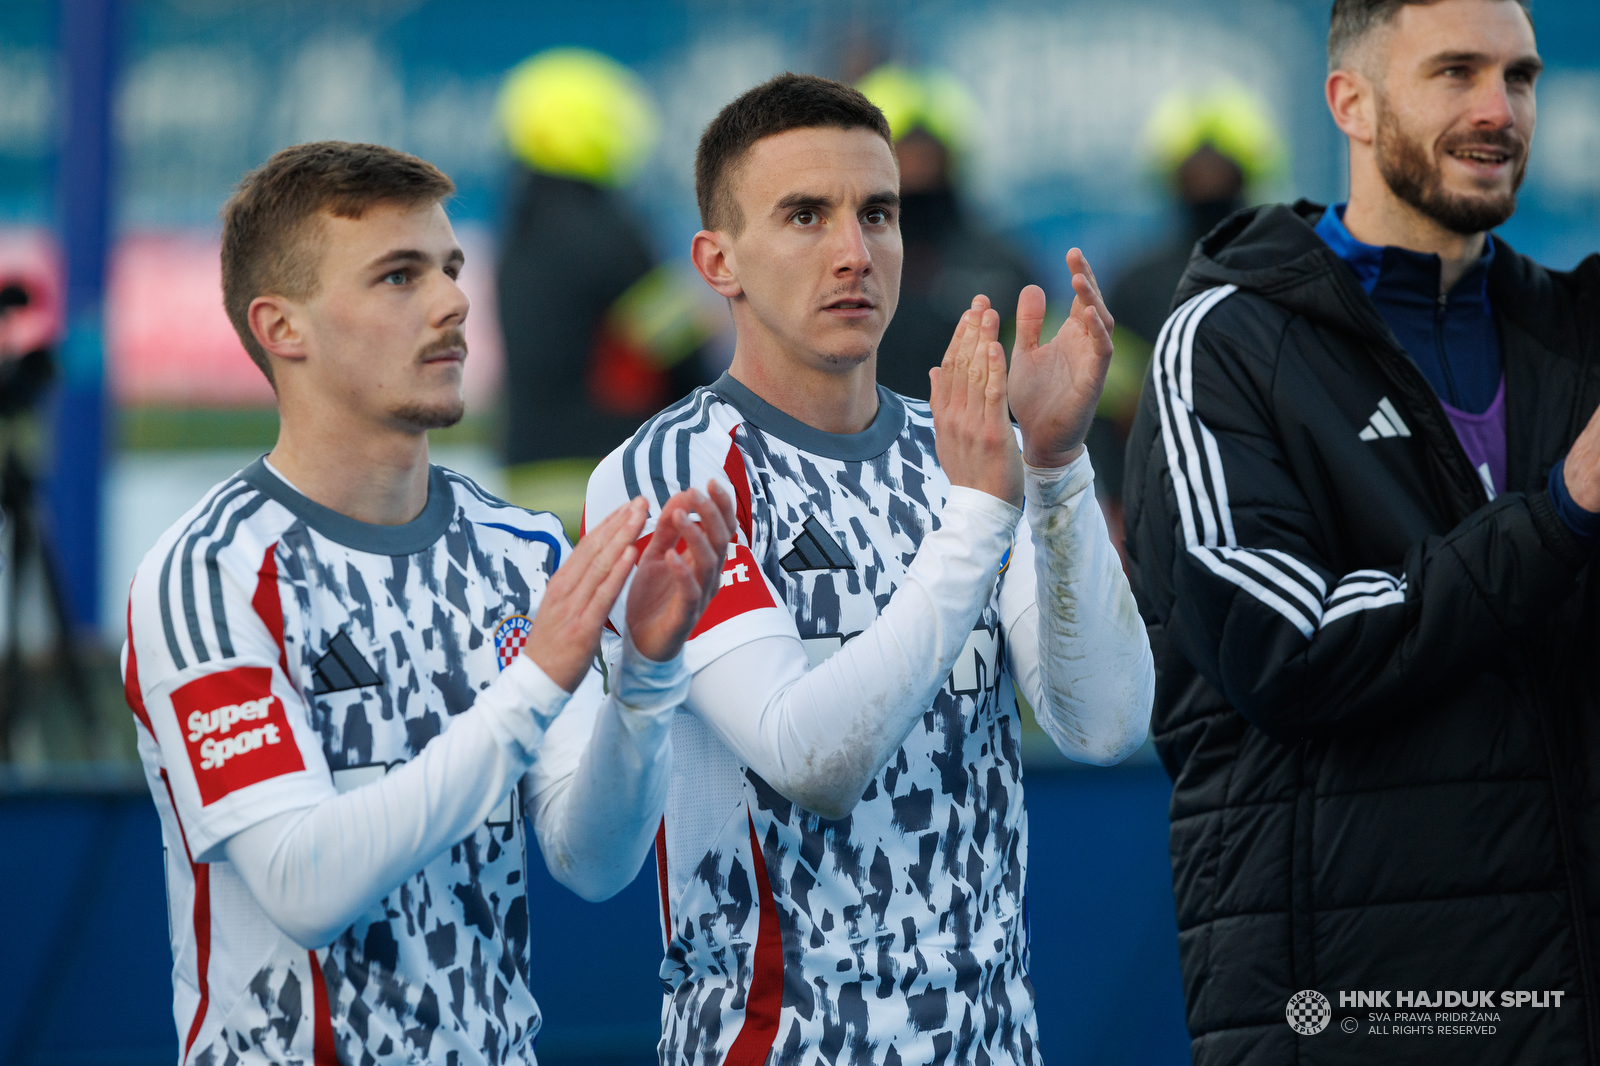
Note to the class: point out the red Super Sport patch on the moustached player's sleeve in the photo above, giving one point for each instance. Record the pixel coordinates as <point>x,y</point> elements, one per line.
<point>236,731</point>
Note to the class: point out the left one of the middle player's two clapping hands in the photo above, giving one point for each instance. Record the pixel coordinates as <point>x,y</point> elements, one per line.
<point>972,423</point>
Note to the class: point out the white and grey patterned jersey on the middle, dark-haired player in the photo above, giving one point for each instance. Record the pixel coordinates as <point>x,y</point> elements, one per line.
<point>898,934</point>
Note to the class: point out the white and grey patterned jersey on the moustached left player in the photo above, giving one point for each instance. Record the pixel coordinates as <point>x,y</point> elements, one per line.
<point>279,654</point>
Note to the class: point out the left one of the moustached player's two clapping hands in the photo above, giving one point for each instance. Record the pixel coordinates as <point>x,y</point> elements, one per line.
<point>566,631</point>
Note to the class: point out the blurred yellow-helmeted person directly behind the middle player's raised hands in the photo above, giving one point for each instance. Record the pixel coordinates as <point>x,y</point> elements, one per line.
<point>950,254</point>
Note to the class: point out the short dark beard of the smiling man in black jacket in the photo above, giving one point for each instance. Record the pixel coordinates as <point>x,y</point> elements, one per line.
<point>1415,177</point>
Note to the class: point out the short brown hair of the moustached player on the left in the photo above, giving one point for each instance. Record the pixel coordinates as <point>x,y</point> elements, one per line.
<point>268,225</point>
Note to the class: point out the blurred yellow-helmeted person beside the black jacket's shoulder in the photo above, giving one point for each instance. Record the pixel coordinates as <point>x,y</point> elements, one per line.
<point>1209,150</point>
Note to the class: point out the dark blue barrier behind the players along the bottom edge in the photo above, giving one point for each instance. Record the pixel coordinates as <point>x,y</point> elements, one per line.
<point>1100,910</point>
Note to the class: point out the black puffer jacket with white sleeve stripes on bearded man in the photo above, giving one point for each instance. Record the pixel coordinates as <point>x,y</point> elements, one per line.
<point>1378,692</point>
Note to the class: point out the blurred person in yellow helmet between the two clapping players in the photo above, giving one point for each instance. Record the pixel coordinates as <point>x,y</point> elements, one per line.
<point>598,334</point>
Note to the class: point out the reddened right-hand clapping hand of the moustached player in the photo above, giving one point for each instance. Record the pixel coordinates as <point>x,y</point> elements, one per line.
<point>681,571</point>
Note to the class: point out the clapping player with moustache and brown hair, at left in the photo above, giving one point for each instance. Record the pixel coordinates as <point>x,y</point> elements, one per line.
<point>359,678</point>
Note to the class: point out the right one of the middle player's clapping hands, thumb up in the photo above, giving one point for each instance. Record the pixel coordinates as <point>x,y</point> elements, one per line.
<point>1057,387</point>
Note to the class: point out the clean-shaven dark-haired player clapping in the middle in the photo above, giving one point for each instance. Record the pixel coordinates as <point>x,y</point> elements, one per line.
<point>844,857</point>
